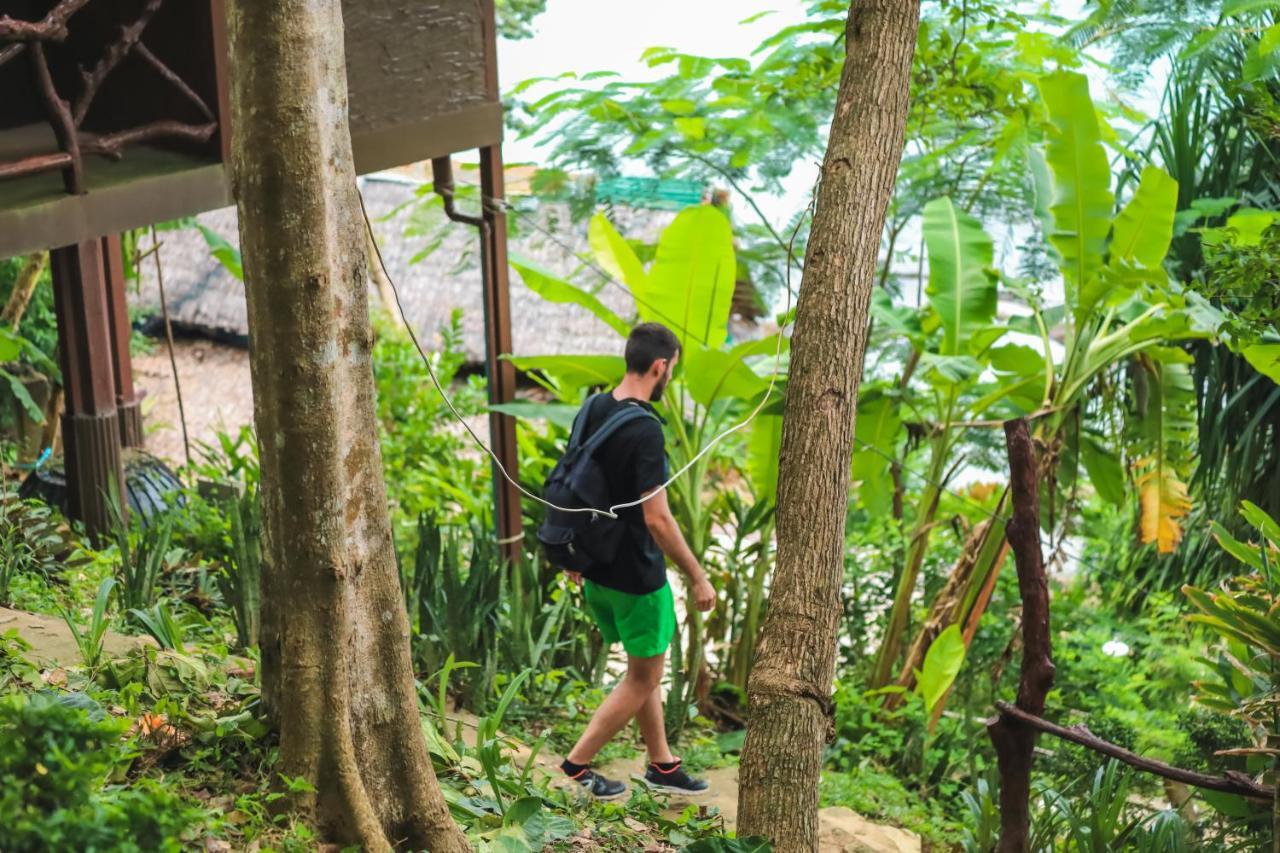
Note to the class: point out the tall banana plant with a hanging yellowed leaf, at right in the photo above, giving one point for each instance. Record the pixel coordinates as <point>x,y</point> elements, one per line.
<point>1121,309</point>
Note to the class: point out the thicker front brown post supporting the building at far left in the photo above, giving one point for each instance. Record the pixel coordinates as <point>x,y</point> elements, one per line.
<point>92,427</point>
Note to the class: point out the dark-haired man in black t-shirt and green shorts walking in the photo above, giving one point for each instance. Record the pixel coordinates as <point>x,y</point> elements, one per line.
<point>630,599</point>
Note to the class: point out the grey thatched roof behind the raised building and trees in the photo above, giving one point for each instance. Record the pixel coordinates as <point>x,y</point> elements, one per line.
<point>204,297</point>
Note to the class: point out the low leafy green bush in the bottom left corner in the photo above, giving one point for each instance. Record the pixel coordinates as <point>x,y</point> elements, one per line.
<point>54,761</point>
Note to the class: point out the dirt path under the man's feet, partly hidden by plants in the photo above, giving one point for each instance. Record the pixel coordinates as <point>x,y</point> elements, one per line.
<point>842,831</point>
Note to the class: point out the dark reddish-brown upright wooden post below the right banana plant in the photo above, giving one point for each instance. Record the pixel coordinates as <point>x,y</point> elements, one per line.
<point>1013,741</point>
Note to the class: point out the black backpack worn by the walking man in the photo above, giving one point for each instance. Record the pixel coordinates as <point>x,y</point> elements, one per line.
<point>583,541</point>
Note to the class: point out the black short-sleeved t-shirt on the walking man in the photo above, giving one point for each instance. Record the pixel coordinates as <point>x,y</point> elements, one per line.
<point>634,462</point>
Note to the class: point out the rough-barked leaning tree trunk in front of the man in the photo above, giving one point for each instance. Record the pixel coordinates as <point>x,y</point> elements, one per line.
<point>790,687</point>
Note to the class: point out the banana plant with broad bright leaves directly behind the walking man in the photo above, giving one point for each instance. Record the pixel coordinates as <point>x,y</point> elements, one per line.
<point>688,288</point>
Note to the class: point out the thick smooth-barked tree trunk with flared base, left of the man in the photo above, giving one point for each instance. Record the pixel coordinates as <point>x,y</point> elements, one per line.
<point>336,656</point>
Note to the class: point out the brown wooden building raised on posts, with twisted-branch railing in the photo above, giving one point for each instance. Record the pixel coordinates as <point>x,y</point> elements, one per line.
<point>115,117</point>
